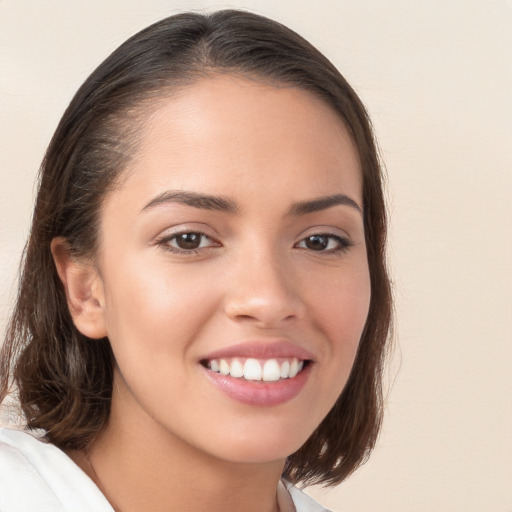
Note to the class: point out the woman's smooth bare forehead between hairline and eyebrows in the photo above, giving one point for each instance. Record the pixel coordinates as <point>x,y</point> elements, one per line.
<point>227,134</point>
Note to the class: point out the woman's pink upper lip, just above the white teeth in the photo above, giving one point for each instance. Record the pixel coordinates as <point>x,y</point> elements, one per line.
<point>261,350</point>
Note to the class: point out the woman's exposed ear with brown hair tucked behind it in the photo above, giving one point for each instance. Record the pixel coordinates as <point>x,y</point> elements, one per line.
<point>84,290</point>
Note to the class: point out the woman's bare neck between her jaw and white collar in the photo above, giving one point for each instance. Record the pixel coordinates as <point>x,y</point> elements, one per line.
<point>139,465</point>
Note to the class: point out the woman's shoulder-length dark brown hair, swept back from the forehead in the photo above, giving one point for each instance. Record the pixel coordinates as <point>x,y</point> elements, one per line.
<point>63,381</point>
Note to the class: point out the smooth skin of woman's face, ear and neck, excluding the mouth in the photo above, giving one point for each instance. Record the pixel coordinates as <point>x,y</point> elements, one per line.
<point>257,272</point>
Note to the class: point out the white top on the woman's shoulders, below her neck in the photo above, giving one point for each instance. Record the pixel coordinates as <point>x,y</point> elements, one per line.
<point>35,475</point>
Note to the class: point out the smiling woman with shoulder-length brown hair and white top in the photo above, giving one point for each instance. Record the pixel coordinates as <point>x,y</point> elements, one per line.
<point>204,305</point>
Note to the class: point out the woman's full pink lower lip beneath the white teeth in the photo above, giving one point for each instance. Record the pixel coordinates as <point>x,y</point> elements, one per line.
<point>260,393</point>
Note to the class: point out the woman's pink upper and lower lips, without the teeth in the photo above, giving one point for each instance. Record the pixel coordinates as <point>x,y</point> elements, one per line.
<point>259,393</point>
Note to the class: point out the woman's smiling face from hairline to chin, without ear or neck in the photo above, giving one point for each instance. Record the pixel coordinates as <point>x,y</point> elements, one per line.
<point>235,245</point>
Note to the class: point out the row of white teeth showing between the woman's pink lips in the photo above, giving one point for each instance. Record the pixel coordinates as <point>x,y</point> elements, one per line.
<point>265,370</point>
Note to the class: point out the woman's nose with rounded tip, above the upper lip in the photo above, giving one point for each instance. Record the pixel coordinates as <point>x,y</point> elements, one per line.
<point>264,290</point>
